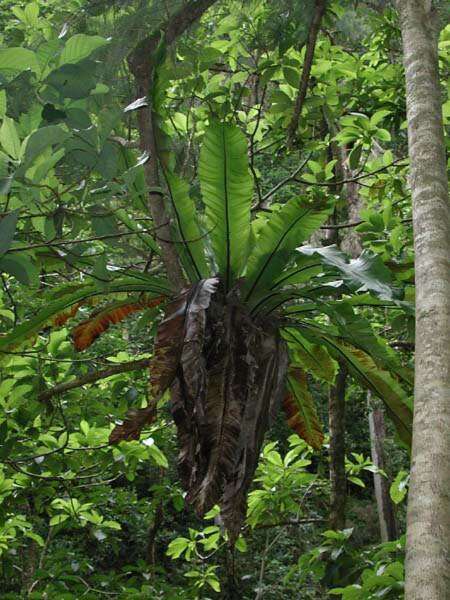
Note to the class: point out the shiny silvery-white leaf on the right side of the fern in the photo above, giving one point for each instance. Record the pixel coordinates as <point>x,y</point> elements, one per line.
<point>365,273</point>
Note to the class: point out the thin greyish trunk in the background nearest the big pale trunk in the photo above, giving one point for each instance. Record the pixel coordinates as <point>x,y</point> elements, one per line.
<point>385,508</point>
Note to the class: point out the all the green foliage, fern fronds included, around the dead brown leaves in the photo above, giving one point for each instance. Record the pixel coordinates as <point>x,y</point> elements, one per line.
<point>75,229</point>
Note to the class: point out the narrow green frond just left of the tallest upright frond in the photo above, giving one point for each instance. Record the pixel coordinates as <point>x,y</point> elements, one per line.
<point>187,235</point>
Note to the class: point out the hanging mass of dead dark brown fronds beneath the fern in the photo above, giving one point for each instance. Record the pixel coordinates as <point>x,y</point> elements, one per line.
<point>227,391</point>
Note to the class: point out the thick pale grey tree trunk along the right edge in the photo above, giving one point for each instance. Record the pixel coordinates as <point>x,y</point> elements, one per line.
<point>428,526</point>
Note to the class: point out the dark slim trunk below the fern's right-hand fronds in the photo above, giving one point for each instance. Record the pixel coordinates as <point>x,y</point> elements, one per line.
<point>336,412</point>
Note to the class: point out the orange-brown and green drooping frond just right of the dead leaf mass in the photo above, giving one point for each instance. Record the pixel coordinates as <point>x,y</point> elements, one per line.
<point>300,409</point>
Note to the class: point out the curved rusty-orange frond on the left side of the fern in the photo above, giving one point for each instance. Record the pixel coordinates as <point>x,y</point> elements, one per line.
<point>88,331</point>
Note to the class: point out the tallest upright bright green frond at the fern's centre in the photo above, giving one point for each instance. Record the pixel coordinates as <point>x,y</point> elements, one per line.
<point>226,186</point>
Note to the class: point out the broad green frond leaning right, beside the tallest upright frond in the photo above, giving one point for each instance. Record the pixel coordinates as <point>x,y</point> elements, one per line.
<point>277,240</point>
